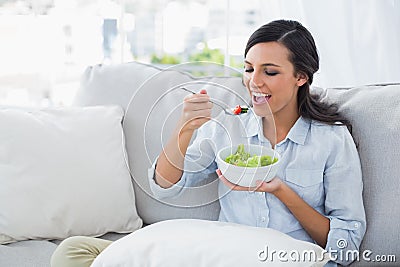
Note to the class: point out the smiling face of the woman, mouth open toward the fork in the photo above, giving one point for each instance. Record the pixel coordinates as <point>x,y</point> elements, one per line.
<point>269,76</point>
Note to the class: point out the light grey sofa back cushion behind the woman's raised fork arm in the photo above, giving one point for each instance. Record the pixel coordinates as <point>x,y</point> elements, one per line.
<point>152,101</point>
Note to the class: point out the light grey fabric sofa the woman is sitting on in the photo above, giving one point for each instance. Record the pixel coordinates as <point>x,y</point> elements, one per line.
<point>150,99</point>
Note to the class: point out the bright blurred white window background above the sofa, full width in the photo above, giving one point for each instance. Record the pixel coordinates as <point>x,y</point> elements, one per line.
<point>47,44</point>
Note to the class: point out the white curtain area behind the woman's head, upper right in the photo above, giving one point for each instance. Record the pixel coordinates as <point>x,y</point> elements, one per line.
<point>358,40</point>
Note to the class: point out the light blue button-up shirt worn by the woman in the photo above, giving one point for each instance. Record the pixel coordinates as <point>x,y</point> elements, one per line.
<point>319,162</point>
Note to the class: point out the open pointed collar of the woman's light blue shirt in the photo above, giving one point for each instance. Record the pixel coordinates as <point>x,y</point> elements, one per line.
<point>298,133</point>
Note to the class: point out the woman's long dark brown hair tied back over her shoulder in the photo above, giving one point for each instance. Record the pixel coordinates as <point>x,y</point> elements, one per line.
<point>304,57</point>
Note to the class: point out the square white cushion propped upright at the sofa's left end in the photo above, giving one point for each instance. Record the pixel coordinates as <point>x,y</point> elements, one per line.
<point>63,172</point>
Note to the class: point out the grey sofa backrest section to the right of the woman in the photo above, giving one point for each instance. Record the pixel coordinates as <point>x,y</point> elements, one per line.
<point>374,112</point>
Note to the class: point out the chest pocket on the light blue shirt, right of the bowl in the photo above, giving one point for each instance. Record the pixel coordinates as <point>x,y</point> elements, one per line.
<point>308,184</point>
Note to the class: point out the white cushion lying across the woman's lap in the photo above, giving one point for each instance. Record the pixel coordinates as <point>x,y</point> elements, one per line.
<point>191,242</point>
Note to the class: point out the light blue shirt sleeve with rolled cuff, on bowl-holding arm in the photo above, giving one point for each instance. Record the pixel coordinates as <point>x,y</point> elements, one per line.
<point>343,200</point>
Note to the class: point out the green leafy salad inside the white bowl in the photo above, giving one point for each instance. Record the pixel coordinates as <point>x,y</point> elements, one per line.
<point>244,159</point>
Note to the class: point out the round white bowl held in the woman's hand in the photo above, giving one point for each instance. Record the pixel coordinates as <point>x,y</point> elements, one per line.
<point>247,176</point>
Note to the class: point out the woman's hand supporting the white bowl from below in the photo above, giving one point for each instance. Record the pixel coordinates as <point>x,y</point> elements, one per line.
<point>270,187</point>
